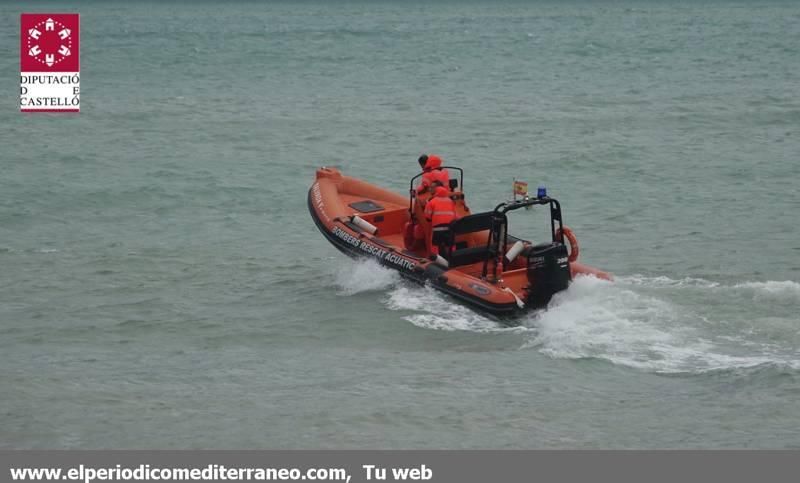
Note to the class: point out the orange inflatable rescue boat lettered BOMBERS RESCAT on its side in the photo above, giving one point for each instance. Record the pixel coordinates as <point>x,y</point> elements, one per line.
<point>482,265</point>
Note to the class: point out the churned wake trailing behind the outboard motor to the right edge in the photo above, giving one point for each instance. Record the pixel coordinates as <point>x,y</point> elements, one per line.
<point>662,332</point>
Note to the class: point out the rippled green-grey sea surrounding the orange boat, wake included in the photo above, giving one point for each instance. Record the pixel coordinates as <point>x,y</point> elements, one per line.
<point>162,285</point>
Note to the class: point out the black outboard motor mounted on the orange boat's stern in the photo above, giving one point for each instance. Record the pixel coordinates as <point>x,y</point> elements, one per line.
<point>548,272</point>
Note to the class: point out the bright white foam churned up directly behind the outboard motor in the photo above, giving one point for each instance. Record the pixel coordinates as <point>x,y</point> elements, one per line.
<point>597,319</point>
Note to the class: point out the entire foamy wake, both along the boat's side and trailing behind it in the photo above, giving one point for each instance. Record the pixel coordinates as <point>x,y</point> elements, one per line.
<point>655,324</point>
